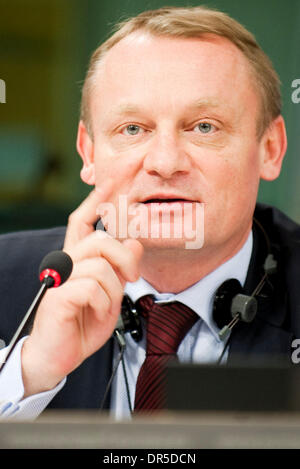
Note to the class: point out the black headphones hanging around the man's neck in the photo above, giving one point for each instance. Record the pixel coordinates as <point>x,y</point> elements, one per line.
<point>231,303</point>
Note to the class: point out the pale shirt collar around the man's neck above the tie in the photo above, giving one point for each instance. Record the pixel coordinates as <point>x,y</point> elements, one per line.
<point>200,296</point>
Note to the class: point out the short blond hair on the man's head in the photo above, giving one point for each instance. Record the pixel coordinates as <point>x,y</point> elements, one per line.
<point>192,22</point>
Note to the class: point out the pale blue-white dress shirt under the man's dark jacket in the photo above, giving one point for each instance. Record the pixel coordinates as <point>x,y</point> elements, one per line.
<point>201,345</point>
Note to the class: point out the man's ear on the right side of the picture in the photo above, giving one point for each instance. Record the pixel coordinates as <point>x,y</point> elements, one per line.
<point>273,147</point>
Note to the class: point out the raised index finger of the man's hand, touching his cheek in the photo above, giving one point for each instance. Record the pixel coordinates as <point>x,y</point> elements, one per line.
<point>82,220</point>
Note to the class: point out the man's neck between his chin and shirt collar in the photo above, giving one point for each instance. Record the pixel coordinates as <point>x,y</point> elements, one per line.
<point>187,267</point>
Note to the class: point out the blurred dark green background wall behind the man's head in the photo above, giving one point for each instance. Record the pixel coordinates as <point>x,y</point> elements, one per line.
<point>45,47</point>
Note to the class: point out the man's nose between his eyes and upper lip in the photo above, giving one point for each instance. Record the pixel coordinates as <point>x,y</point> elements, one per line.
<point>165,156</point>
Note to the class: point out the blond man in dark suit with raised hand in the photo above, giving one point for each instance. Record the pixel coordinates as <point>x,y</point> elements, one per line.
<point>179,106</point>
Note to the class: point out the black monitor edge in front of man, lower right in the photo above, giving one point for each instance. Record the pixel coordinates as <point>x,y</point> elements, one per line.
<point>236,388</point>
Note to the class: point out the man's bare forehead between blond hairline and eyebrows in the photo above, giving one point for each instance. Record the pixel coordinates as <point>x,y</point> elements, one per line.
<point>156,68</point>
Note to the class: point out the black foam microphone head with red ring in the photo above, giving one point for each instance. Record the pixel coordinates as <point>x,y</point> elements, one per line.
<point>56,267</point>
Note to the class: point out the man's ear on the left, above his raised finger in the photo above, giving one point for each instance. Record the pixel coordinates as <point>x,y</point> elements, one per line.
<point>85,148</point>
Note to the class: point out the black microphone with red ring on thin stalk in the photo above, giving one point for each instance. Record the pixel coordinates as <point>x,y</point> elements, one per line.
<point>55,269</point>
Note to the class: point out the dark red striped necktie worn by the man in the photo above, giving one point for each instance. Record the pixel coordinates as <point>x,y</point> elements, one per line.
<point>167,325</point>
